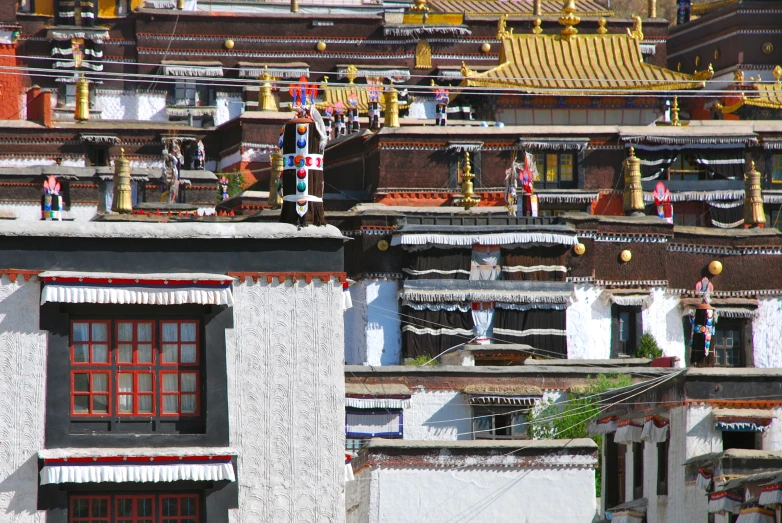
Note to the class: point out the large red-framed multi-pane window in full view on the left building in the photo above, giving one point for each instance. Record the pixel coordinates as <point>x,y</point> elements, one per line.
<point>142,368</point>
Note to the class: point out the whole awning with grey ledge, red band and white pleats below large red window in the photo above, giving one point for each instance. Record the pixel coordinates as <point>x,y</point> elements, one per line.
<point>137,466</point>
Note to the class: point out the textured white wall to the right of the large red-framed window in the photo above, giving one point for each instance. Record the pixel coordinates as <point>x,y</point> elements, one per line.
<point>286,393</point>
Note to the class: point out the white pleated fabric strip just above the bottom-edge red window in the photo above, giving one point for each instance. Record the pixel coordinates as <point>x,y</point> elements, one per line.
<point>55,474</point>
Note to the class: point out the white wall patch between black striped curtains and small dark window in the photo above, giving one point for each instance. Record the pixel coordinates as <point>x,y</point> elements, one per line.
<point>588,324</point>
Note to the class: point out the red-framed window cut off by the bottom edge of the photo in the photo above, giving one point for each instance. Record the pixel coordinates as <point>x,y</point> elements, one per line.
<point>135,508</point>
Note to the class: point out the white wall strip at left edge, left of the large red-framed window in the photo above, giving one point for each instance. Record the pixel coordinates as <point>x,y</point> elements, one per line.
<point>22,399</point>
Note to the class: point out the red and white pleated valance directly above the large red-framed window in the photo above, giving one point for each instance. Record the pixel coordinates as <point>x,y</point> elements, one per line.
<point>145,289</point>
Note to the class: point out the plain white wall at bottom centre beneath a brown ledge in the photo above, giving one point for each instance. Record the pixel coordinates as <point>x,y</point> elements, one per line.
<point>519,494</point>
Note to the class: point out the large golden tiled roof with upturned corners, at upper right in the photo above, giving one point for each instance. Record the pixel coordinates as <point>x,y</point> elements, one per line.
<point>585,64</point>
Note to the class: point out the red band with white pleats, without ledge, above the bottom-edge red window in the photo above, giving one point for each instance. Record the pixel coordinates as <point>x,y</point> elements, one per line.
<point>136,469</point>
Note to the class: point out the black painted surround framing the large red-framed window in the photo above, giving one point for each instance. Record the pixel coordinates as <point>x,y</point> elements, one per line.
<point>209,429</point>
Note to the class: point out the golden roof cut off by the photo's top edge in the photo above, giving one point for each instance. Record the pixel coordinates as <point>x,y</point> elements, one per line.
<point>515,7</point>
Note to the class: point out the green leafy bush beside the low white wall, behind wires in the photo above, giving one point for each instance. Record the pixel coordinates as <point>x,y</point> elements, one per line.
<point>550,420</point>
